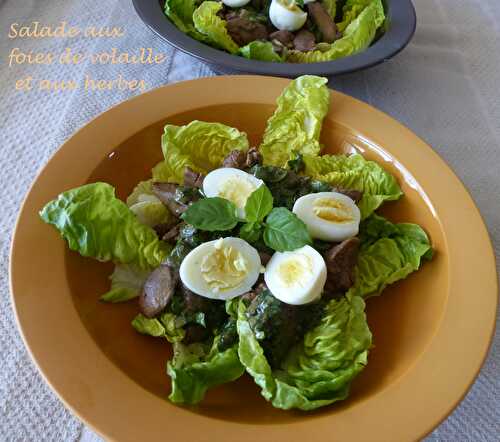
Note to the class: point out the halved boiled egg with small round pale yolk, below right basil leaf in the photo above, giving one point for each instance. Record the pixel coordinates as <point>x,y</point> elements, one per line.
<point>296,277</point>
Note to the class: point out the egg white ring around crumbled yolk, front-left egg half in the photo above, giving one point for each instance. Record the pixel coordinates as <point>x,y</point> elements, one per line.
<point>191,274</point>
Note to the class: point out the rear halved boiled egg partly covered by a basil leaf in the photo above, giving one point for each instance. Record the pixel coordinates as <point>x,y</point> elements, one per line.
<point>232,184</point>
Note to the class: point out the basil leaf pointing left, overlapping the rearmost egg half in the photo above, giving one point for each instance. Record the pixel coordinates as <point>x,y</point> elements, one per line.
<point>211,214</point>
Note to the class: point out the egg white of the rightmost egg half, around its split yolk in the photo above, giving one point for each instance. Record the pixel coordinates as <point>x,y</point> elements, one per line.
<point>328,230</point>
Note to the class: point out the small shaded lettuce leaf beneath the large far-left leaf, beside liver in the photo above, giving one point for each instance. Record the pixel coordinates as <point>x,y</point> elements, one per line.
<point>126,283</point>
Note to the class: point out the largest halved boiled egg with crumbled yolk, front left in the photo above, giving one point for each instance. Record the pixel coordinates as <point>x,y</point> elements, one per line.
<point>221,269</point>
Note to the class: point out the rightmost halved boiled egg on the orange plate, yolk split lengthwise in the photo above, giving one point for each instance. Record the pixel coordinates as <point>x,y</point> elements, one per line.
<point>329,216</point>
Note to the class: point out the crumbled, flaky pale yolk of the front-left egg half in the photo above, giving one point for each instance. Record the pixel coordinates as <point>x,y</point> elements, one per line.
<point>223,268</point>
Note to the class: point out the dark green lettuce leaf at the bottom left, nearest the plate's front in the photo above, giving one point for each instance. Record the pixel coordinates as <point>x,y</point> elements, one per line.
<point>194,370</point>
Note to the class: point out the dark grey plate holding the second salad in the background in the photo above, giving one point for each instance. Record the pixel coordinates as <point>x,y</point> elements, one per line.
<point>400,27</point>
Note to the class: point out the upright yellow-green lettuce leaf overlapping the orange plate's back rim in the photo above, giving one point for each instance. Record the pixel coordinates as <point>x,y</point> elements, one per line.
<point>295,126</point>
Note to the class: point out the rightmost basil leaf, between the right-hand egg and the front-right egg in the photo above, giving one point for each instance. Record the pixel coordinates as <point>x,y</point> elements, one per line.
<point>284,231</point>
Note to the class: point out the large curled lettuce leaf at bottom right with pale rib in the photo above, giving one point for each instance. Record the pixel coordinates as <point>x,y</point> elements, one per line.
<point>319,370</point>
